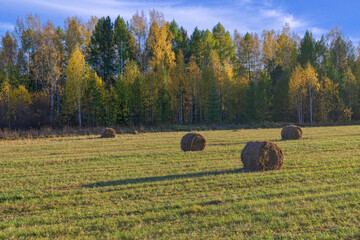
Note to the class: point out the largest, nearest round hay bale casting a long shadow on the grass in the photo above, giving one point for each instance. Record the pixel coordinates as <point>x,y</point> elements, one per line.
<point>262,156</point>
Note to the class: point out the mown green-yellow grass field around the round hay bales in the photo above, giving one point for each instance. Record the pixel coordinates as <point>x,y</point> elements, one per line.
<point>144,187</point>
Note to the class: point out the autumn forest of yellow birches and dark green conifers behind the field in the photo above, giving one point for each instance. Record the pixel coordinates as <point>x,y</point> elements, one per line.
<point>147,71</point>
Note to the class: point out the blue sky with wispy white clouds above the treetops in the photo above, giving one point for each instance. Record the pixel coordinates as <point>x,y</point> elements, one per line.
<point>318,16</point>
